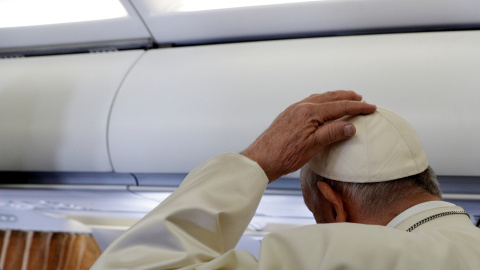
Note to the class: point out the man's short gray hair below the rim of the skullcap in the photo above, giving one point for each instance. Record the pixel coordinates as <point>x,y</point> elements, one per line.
<point>374,197</point>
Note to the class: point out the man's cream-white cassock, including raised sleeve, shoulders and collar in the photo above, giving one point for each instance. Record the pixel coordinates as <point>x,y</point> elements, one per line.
<point>198,226</point>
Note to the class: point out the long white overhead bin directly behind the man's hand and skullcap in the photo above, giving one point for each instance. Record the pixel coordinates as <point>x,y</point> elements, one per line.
<point>180,106</point>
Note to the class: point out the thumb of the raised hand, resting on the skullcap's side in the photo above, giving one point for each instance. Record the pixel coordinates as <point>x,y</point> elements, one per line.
<point>333,132</point>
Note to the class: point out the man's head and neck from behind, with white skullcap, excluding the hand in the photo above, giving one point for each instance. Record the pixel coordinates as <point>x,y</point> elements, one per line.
<point>373,177</point>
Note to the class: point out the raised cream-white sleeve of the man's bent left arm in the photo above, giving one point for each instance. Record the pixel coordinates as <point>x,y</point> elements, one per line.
<point>204,218</point>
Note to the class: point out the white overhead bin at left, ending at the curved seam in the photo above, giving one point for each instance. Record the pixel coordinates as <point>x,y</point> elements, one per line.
<point>54,110</point>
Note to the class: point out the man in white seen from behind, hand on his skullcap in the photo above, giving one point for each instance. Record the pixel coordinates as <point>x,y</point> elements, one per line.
<point>365,178</point>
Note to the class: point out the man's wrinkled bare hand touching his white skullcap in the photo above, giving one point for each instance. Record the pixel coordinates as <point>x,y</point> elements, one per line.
<point>300,131</point>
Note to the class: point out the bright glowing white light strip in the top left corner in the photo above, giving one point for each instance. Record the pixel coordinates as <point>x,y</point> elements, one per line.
<point>17,13</point>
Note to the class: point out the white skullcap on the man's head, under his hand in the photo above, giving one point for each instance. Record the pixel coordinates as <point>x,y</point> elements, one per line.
<point>385,147</point>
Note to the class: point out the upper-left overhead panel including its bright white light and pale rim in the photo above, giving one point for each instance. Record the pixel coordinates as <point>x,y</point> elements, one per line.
<point>65,26</point>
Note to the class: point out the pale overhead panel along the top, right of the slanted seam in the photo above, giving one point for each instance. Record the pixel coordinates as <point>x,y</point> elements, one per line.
<point>188,22</point>
